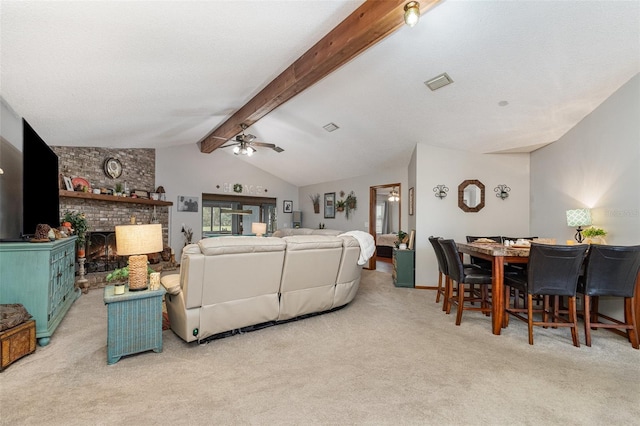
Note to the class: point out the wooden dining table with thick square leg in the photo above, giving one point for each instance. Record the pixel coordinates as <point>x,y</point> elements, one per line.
<point>499,255</point>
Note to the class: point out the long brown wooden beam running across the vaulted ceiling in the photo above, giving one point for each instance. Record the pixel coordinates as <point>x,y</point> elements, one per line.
<point>367,25</point>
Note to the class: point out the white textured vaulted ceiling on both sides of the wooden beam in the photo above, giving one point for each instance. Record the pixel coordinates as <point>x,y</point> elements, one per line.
<point>164,73</point>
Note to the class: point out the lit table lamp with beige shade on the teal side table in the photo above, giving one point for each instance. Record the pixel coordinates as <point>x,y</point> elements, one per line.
<point>136,241</point>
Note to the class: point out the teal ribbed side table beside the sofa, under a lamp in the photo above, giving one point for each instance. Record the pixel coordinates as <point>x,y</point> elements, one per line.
<point>134,322</point>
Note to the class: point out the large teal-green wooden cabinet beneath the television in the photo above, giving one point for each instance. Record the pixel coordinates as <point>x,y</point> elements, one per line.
<point>40,276</point>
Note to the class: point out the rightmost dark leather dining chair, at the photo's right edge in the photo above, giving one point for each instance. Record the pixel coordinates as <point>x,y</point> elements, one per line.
<point>610,271</point>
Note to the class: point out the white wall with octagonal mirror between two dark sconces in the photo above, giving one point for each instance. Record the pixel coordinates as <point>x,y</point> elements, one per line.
<point>443,218</point>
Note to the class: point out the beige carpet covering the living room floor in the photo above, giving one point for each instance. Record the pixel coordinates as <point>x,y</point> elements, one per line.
<point>390,357</point>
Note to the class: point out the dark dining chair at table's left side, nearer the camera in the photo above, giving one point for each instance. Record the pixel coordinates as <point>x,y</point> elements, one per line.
<point>463,276</point>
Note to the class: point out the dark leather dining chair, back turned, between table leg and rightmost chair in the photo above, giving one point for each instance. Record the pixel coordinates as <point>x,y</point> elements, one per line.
<point>552,271</point>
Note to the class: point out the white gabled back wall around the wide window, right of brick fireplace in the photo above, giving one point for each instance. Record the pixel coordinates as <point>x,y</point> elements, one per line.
<point>184,170</point>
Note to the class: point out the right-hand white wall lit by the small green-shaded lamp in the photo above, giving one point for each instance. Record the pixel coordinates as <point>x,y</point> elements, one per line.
<point>596,165</point>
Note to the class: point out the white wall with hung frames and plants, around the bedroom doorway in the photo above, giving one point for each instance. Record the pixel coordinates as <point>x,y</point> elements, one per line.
<point>358,219</point>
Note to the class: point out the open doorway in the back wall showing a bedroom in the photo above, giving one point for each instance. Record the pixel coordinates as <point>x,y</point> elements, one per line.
<point>384,222</point>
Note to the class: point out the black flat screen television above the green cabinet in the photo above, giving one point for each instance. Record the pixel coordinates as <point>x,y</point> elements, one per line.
<point>40,197</point>
